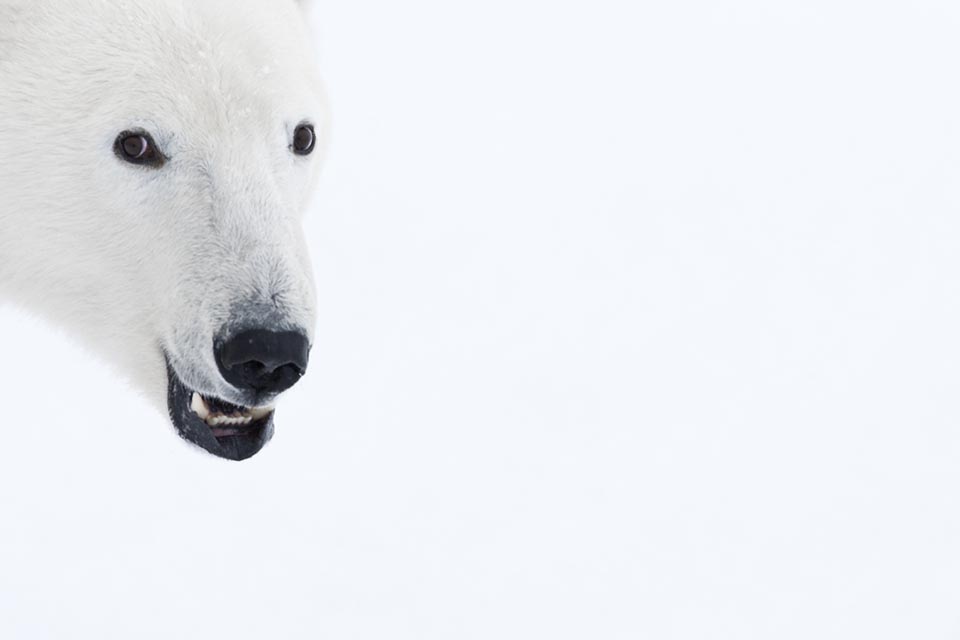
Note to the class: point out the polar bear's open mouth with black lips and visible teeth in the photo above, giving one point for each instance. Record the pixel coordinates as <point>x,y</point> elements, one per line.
<point>226,430</point>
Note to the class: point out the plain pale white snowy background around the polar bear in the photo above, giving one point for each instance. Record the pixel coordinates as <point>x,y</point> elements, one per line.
<point>639,320</point>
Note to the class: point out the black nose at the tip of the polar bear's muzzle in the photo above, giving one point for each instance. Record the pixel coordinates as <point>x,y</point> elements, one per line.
<point>263,361</point>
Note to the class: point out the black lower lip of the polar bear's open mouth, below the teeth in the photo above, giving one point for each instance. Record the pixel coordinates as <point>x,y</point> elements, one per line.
<point>192,429</point>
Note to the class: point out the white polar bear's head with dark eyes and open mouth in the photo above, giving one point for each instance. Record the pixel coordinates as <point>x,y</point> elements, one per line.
<point>156,158</point>
